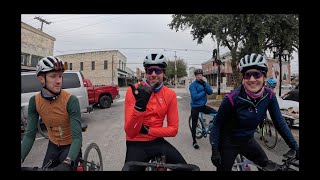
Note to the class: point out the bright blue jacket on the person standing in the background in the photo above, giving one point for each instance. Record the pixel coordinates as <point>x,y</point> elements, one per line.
<point>199,93</point>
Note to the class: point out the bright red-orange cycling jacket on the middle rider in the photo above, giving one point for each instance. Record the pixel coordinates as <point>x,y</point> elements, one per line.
<point>160,104</point>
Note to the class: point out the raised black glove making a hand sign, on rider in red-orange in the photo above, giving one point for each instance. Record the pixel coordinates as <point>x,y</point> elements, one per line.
<point>142,95</point>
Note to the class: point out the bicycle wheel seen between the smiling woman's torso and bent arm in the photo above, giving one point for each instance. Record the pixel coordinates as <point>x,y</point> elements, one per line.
<point>270,136</point>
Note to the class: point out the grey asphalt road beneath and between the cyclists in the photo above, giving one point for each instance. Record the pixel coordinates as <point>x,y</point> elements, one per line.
<point>106,128</point>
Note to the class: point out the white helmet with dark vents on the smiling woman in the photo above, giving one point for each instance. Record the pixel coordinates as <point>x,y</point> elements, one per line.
<point>253,61</point>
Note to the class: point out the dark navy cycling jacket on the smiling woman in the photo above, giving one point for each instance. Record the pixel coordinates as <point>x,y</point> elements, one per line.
<point>238,118</point>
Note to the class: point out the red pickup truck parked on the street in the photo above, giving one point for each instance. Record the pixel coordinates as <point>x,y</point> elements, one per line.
<point>101,95</point>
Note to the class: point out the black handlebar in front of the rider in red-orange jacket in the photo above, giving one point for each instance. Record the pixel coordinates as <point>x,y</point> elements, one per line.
<point>188,167</point>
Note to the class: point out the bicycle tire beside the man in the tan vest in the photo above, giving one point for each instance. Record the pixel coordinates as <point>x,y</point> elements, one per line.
<point>92,165</point>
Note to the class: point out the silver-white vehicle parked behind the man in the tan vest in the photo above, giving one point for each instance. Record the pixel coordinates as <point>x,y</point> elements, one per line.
<point>72,81</point>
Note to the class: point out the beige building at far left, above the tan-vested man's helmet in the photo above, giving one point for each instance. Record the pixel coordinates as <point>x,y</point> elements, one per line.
<point>35,45</point>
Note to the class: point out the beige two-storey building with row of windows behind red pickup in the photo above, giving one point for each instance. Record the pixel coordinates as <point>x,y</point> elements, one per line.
<point>101,67</point>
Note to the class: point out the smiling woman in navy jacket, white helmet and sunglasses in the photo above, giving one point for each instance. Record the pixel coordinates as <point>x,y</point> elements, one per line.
<point>239,114</point>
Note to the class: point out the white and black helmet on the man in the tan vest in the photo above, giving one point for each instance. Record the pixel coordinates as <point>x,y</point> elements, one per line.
<point>50,63</point>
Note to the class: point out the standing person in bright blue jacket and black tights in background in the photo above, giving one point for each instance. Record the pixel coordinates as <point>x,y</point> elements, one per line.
<point>199,90</point>
